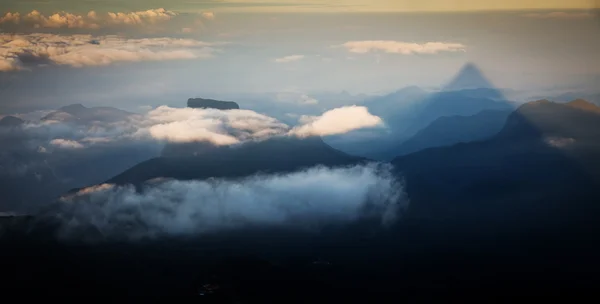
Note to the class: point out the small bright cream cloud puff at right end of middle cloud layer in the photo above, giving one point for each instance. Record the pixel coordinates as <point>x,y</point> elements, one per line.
<point>337,121</point>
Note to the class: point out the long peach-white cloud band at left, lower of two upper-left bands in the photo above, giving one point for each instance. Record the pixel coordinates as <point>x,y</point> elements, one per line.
<point>87,50</point>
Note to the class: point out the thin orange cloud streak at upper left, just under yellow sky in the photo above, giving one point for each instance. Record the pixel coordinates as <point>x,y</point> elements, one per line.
<point>91,20</point>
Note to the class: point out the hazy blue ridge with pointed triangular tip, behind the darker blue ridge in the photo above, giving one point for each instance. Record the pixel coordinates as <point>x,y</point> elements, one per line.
<point>411,109</point>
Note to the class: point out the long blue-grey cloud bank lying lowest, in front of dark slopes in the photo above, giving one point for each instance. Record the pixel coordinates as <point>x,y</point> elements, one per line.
<point>305,199</point>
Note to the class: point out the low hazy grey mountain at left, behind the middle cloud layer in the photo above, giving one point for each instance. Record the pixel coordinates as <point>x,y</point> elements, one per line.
<point>80,113</point>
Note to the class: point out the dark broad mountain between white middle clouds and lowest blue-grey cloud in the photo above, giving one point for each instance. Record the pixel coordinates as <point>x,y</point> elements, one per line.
<point>279,154</point>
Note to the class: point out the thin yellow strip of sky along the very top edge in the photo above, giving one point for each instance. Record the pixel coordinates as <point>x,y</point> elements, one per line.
<point>295,5</point>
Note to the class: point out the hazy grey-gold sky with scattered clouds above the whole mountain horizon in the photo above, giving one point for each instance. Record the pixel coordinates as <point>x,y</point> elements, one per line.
<point>135,54</point>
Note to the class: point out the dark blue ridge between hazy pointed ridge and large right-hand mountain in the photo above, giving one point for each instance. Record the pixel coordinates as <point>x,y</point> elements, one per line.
<point>449,130</point>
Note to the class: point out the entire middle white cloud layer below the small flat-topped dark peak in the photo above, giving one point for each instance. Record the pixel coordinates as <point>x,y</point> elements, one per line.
<point>185,125</point>
